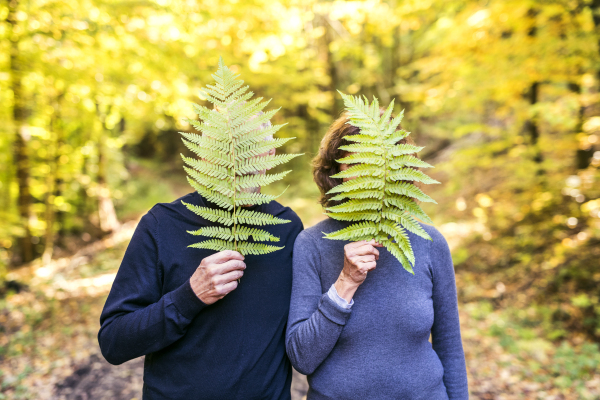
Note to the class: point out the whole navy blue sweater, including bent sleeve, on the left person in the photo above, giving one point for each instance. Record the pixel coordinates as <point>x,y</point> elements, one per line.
<point>232,349</point>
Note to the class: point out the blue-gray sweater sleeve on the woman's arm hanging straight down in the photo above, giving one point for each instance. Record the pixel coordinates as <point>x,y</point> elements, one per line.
<point>445,332</point>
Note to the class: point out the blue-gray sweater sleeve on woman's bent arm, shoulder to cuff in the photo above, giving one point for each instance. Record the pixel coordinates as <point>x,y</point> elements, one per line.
<point>315,320</point>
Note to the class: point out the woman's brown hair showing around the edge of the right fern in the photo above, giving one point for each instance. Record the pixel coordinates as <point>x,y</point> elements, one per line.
<point>324,164</point>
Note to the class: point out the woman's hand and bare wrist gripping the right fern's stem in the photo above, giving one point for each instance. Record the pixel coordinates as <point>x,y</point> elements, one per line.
<point>359,258</point>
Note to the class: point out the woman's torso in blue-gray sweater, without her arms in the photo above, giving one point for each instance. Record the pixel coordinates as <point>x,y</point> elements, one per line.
<point>385,343</point>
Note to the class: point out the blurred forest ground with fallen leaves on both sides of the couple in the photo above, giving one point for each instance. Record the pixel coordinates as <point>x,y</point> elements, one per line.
<point>49,350</point>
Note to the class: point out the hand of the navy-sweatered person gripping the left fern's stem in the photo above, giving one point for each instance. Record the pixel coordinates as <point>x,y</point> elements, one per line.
<point>217,276</point>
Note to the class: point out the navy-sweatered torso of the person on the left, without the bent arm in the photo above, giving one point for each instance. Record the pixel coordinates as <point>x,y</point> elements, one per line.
<point>234,348</point>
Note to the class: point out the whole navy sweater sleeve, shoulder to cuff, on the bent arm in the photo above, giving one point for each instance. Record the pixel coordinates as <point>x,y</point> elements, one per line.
<point>137,318</point>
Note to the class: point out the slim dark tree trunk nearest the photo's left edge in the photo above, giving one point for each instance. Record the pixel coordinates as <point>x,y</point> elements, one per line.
<point>21,158</point>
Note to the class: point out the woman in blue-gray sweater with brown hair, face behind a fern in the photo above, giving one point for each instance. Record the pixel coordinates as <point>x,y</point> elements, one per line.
<point>359,324</point>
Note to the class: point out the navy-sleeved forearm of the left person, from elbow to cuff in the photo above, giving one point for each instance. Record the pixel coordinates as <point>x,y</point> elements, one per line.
<point>125,336</point>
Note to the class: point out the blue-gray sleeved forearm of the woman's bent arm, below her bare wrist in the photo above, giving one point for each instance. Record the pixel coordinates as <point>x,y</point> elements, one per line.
<point>310,341</point>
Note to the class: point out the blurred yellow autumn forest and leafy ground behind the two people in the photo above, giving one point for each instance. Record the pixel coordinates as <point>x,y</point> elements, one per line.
<point>504,94</point>
